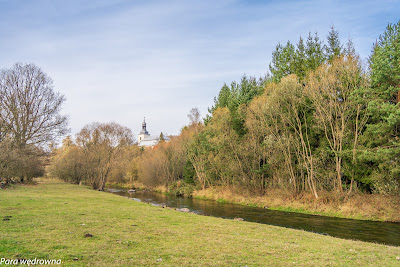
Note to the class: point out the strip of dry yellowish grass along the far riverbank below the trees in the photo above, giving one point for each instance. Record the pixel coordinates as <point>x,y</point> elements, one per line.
<point>356,206</point>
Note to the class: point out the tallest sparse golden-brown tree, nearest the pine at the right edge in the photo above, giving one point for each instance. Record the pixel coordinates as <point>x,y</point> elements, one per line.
<point>331,88</point>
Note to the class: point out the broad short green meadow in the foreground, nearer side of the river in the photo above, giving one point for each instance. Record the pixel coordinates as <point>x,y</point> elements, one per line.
<point>50,221</point>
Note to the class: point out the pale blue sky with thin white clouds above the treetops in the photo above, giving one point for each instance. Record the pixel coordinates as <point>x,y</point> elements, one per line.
<point>123,60</point>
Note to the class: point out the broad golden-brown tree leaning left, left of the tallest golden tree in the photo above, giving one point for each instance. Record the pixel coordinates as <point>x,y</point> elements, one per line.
<point>279,118</point>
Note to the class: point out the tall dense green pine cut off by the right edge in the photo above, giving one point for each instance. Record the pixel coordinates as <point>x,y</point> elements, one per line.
<point>381,138</point>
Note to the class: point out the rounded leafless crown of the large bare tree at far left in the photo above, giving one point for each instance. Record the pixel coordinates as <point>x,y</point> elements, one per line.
<point>29,107</point>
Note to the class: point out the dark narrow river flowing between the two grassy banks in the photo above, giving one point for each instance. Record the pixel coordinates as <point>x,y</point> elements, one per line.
<point>370,231</point>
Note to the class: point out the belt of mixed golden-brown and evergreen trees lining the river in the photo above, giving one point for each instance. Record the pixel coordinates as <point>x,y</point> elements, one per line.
<point>321,121</point>
